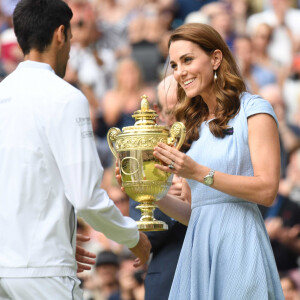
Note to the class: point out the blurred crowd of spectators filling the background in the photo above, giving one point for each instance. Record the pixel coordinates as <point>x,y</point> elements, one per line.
<point>120,52</point>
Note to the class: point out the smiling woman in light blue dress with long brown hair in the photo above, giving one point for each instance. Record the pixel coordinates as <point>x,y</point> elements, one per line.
<point>232,163</point>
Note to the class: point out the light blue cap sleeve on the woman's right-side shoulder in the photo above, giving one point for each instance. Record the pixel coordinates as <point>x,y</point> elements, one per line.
<point>254,104</point>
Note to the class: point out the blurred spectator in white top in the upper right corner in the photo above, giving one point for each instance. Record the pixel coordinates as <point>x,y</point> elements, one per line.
<point>286,29</point>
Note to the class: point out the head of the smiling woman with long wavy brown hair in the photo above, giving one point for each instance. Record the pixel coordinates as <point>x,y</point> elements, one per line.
<point>206,71</point>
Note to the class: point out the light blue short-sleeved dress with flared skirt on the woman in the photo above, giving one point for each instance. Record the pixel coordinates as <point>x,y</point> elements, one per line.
<point>226,253</point>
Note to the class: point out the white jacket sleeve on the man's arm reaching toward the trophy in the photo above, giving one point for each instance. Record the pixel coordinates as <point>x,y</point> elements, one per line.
<point>72,143</point>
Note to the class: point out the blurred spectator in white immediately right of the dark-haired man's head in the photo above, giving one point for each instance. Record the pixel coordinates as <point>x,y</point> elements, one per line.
<point>91,67</point>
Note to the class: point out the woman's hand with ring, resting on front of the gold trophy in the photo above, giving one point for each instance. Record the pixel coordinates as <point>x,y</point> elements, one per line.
<point>176,161</point>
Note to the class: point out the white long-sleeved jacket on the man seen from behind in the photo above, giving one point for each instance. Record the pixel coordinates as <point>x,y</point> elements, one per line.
<point>49,168</point>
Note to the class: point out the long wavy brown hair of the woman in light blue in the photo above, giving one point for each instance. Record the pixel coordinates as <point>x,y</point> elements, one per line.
<point>227,87</point>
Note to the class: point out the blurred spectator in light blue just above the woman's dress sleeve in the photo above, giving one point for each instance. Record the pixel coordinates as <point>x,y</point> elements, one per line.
<point>255,76</point>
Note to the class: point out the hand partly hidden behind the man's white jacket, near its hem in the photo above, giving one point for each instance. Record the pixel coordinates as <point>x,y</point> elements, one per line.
<point>84,258</point>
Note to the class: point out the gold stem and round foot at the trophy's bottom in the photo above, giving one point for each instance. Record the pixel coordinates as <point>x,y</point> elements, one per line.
<point>147,222</point>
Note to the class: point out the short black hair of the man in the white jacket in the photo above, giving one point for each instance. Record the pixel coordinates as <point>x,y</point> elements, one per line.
<point>36,20</point>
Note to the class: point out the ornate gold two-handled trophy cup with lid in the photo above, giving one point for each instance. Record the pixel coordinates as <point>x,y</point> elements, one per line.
<point>134,150</point>
